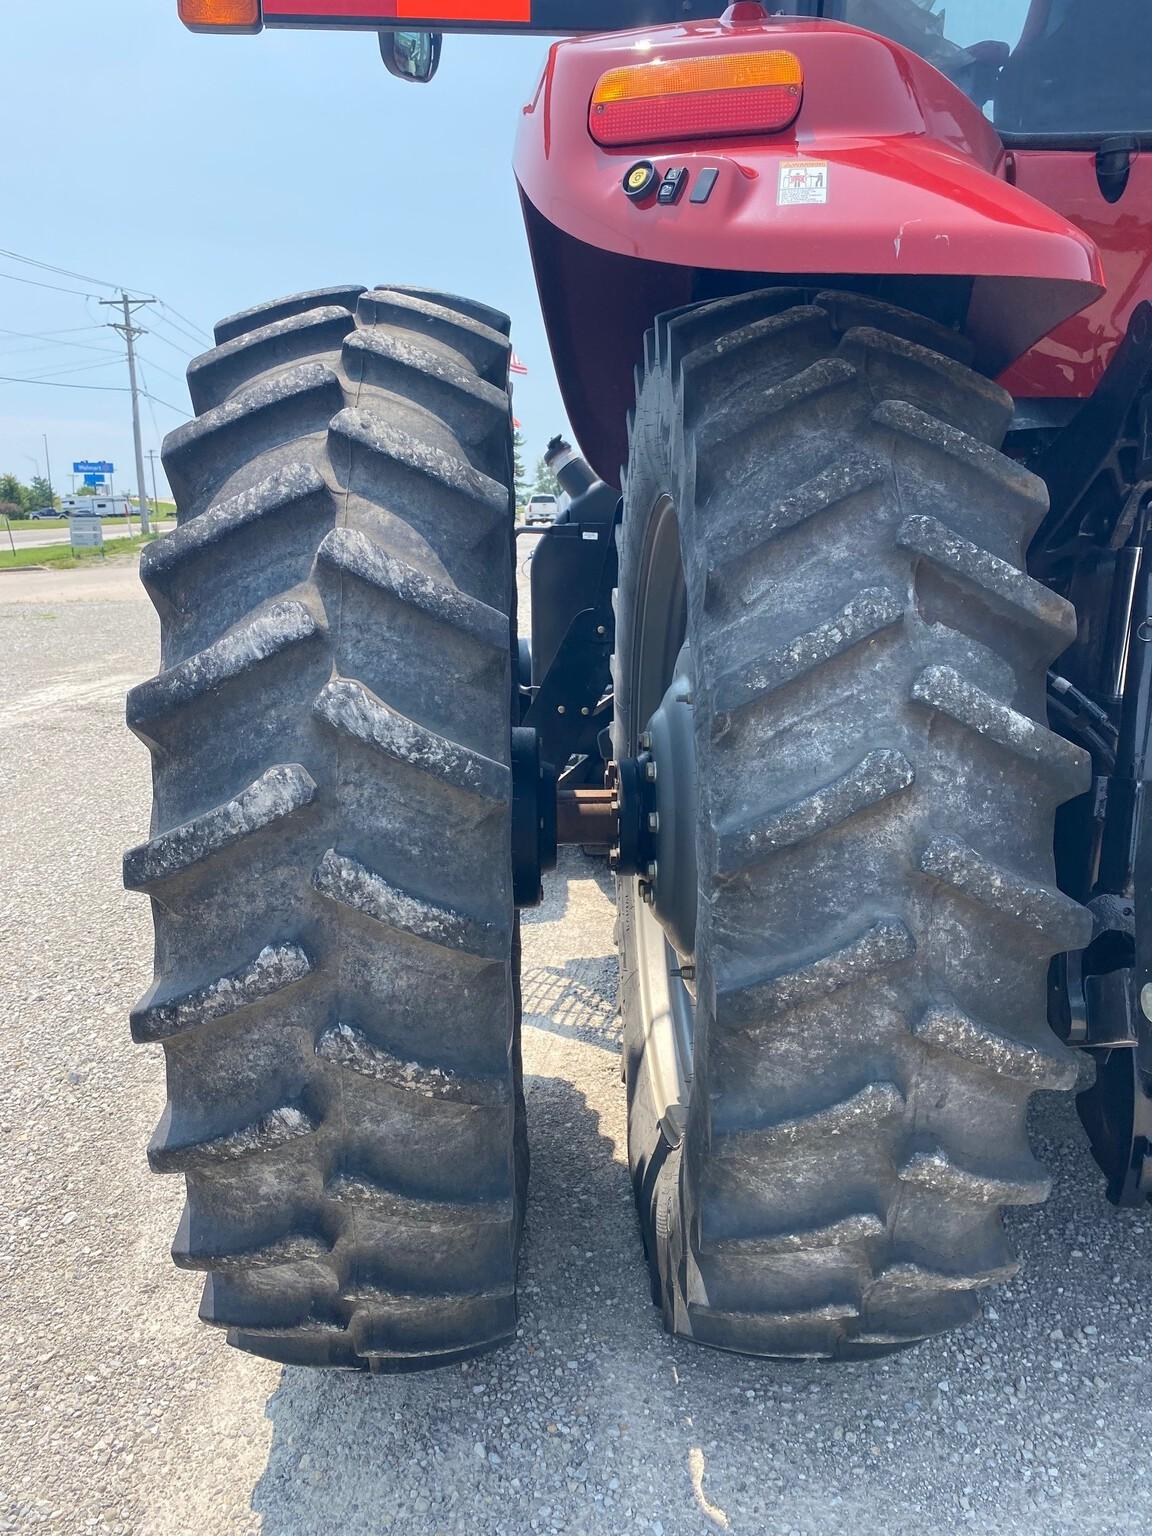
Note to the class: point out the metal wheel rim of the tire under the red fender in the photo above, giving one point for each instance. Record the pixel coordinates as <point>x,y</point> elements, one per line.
<point>661,712</point>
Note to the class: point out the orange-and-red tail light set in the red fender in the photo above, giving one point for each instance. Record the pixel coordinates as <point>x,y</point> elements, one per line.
<point>709,98</point>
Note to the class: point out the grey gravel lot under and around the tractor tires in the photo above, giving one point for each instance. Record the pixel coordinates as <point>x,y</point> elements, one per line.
<point>124,1415</point>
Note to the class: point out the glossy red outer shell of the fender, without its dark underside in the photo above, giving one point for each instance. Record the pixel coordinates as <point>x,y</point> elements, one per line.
<point>887,170</point>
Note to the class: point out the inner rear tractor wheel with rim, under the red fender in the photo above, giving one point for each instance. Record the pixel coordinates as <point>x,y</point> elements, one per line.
<point>823,575</point>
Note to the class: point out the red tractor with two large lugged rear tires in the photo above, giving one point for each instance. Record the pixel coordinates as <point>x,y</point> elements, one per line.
<point>842,649</point>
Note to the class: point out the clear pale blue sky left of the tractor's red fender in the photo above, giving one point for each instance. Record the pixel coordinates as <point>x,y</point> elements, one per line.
<point>217,173</point>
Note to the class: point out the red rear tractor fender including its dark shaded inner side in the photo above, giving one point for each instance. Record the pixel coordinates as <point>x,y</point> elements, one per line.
<point>889,171</point>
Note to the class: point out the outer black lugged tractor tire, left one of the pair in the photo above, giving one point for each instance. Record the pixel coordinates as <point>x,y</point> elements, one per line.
<point>329,862</point>
